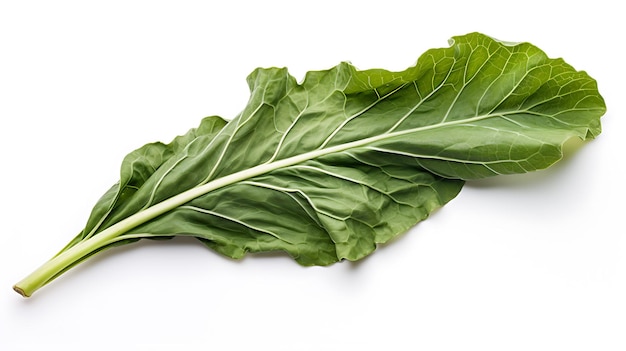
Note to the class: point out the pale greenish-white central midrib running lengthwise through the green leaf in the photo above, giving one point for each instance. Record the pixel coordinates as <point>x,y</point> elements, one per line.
<point>116,232</point>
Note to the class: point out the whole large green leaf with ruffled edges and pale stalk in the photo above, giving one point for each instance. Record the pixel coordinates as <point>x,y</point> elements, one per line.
<point>328,168</point>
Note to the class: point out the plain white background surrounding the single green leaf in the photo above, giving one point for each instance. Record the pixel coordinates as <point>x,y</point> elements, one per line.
<point>531,262</point>
